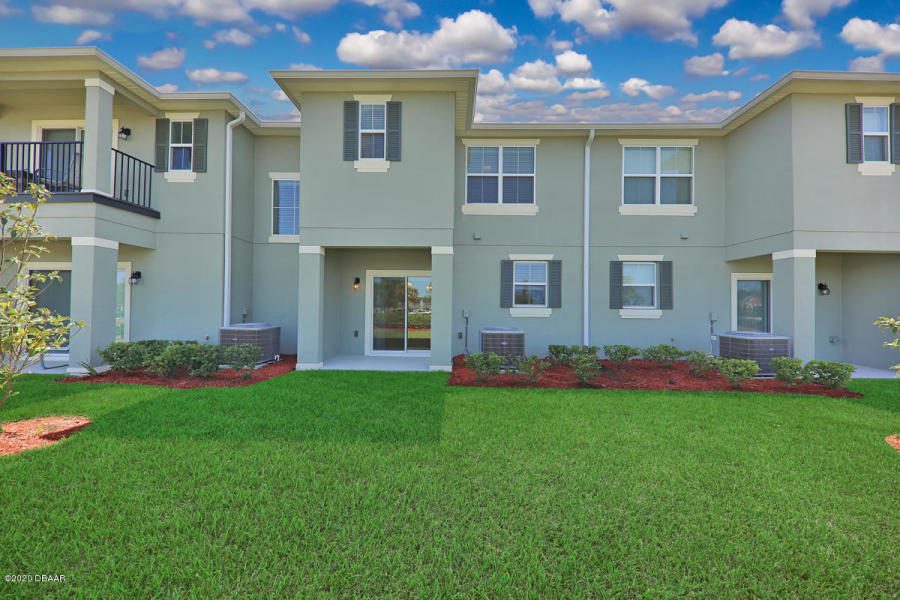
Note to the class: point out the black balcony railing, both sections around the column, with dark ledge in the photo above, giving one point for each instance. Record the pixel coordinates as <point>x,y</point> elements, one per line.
<point>58,166</point>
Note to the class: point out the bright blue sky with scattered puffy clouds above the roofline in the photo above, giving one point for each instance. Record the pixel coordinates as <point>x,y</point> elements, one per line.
<point>541,60</point>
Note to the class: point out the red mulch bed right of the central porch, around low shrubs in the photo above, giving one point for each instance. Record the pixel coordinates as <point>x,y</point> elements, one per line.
<point>641,375</point>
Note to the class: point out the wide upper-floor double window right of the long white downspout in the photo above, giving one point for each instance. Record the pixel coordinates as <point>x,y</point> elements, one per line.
<point>658,175</point>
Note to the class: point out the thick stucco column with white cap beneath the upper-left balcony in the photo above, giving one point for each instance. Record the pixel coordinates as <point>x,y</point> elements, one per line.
<point>93,300</point>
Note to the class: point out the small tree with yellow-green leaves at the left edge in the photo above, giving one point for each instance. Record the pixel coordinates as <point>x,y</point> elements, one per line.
<point>27,331</point>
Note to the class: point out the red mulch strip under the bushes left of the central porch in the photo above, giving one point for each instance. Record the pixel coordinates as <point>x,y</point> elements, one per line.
<point>223,378</point>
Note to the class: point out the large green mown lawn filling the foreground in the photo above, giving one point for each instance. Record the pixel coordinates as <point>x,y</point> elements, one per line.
<point>381,484</point>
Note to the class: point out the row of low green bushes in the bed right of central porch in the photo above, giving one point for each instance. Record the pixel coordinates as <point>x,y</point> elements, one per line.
<point>584,362</point>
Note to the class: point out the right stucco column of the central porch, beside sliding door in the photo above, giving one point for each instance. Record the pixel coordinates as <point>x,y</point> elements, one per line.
<point>441,308</point>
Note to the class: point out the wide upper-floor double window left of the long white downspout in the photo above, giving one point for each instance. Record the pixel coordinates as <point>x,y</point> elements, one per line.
<point>500,174</point>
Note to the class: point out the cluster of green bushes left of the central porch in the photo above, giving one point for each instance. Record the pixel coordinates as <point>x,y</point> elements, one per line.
<point>168,358</point>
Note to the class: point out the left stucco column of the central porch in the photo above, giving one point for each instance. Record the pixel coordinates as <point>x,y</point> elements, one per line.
<point>311,309</point>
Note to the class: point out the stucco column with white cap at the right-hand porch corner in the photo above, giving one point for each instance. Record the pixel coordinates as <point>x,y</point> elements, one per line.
<point>794,300</point>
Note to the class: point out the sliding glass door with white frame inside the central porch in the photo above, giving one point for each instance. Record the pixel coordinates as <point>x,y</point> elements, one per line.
<point>401,313</point>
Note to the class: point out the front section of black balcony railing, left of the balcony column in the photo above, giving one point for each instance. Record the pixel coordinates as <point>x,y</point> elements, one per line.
<point>55,165</point>
